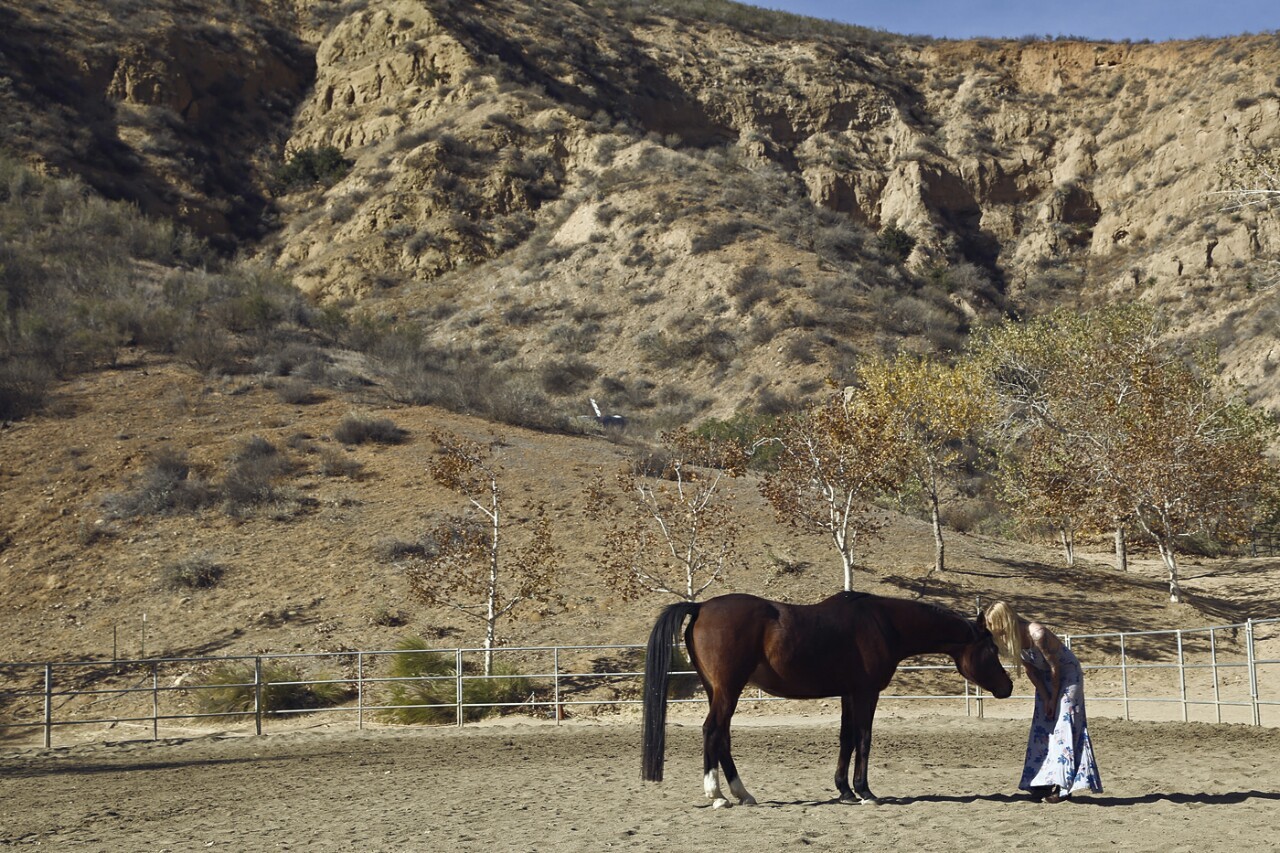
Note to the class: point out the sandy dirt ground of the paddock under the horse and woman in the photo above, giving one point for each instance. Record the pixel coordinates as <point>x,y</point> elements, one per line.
<point>948,783</point>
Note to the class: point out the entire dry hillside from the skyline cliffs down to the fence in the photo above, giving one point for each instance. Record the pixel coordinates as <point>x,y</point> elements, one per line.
<point>678,213</point>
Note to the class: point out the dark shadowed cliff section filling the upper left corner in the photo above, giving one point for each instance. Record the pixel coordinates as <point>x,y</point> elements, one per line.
<point>163,106</point>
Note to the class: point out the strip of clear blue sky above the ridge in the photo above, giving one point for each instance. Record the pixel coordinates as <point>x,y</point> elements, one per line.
<point>1114,20</point>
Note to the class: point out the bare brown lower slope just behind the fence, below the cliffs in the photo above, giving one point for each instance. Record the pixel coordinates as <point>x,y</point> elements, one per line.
<point>316,569</point>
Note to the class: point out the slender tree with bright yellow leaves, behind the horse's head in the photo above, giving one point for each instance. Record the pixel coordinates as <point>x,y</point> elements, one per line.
<point>938,408</point>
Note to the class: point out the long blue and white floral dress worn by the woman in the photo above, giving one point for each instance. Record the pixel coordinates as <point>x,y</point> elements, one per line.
<point>1059,751</point>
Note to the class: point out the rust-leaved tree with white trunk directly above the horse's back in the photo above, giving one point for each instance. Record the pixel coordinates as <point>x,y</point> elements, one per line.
<point>836,458</point>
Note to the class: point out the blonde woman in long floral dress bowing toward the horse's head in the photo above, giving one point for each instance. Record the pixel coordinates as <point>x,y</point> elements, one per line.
<point>1059,754</point>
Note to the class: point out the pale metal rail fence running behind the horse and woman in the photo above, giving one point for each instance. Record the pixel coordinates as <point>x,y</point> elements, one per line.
<point>1213,674</point>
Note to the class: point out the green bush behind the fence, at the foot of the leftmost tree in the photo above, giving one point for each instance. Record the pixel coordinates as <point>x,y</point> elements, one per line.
<point>415,662</point>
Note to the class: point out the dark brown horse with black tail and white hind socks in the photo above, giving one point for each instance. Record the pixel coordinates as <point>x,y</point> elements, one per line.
<point>848,646</point>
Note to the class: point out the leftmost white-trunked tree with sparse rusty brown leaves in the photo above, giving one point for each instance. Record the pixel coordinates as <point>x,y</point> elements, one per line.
<point>467,567</point>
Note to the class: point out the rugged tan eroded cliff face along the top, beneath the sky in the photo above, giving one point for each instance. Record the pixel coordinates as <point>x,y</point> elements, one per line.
<point>673,203</point>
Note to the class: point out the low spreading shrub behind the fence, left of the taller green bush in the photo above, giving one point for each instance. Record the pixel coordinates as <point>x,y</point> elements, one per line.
<point>228,690</point>
